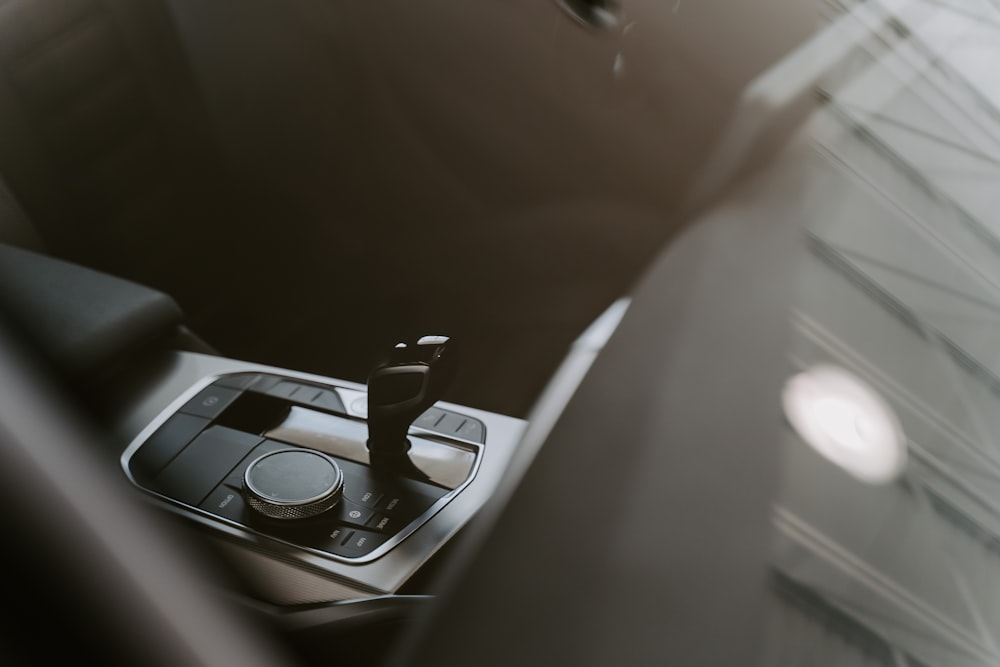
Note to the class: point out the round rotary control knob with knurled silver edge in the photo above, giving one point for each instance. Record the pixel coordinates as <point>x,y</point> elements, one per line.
<point>293,484</point>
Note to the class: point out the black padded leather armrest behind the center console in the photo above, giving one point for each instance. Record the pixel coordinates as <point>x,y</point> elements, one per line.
<point>83,321</point>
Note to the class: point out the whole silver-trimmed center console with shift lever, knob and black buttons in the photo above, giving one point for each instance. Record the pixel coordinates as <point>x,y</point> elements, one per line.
<point>324,490</point>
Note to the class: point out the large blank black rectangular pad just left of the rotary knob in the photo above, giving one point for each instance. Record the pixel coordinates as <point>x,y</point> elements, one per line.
<point>207,460</point>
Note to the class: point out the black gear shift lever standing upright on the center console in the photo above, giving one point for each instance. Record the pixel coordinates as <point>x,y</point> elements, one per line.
<point>400,389</point>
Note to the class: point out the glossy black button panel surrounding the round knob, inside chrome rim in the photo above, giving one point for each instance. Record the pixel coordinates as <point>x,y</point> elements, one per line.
<point>199,457</point>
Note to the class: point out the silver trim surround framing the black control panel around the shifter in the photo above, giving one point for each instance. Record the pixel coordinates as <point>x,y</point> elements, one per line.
<point>387,567</point>
